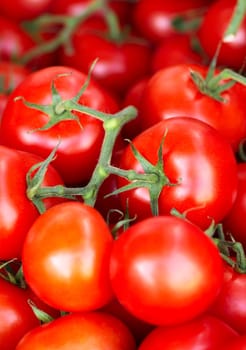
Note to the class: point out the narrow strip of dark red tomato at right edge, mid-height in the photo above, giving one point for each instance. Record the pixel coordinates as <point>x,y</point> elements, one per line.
<point>233,222</point>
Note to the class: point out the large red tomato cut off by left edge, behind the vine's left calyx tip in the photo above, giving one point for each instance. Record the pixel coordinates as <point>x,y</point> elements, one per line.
<point>17,212</point>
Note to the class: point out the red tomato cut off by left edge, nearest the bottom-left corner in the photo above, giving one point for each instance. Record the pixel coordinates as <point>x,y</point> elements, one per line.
<point>16,315</point>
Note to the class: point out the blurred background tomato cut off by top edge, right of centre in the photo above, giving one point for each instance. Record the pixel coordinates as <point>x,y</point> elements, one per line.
<point>154,19</point>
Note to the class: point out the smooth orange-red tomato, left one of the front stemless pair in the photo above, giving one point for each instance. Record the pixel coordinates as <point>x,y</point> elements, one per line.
<point>68,249</point>
